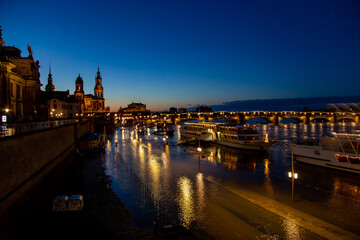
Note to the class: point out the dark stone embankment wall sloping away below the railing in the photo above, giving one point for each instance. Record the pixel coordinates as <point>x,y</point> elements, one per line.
<point>26,158</point>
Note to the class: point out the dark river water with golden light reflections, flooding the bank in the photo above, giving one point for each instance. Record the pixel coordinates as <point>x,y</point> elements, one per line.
<point>209,192</point>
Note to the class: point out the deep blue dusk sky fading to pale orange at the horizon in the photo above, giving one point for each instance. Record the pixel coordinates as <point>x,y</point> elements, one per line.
<point>182,53</point>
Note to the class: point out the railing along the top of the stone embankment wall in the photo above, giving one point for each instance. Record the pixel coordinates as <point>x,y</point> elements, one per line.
<point>20,128</point>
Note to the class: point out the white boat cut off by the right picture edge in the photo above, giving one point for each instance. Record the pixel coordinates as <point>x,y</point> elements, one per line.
<point>341,152</point>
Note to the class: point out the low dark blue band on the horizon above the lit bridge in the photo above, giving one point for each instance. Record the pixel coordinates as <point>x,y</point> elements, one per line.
<point>288,104</point>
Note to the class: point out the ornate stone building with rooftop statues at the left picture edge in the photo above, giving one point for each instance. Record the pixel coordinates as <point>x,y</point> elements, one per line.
<point>19,84</point>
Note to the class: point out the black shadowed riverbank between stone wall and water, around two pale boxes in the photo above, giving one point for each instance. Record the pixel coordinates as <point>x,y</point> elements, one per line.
<point>104,216</point>
